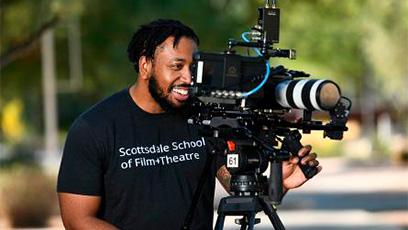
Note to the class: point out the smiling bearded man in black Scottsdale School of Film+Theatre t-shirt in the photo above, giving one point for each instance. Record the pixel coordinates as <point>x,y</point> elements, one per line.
<point>132,161</point>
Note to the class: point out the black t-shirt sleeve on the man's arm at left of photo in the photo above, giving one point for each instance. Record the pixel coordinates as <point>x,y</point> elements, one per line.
<point>81,169</point>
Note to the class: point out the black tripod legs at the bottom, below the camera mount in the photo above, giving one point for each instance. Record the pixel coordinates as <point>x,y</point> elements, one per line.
<point>246,206</point>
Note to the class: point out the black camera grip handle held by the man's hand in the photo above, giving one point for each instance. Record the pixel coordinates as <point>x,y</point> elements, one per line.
<point>292,144</point>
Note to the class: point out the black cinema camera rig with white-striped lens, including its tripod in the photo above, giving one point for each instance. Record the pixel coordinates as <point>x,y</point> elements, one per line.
<point>243,101</point>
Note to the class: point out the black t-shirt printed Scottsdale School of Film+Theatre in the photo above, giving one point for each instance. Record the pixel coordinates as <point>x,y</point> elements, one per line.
<point>144,166</point>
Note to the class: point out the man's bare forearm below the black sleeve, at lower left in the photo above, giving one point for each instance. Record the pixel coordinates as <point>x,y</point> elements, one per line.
<point>79,212</point>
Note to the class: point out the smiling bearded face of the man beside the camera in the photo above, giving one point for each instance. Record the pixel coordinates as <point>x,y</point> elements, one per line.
<point>171,75</point>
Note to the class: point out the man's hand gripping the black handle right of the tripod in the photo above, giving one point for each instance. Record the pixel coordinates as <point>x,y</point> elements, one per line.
<point>292,175</point>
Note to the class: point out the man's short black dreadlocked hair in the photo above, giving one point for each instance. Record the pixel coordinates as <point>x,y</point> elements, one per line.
<point>145,41</point>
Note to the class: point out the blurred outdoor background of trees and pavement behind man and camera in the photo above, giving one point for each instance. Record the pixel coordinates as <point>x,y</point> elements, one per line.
<point>60,57</point>
